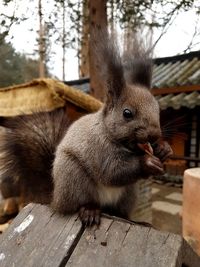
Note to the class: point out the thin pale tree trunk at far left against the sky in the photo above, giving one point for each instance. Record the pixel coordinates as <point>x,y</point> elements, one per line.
<point>41,42</point>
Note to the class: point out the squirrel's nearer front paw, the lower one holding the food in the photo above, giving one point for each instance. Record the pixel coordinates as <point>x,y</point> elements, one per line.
<point>153,165</point>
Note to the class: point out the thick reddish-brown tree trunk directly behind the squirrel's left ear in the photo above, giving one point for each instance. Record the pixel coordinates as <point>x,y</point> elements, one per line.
<point>98,18</point>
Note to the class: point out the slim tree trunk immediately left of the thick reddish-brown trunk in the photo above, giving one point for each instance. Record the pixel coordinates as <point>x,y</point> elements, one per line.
<point>84,49</point>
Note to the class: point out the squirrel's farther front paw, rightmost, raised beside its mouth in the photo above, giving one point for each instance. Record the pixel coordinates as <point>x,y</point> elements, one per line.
<point>162,150</point>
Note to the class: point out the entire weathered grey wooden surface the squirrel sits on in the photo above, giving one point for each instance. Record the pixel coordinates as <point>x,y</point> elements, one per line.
<point>38,237</point>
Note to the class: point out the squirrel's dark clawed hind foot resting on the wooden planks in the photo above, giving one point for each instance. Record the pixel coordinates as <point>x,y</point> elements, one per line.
<point>89,215</point>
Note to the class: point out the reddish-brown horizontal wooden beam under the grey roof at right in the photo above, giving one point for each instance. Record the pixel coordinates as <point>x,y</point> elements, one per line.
<point>175,90</point>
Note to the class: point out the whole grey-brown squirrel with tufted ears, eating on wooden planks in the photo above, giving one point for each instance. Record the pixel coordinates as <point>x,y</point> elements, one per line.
<point>92,165</point>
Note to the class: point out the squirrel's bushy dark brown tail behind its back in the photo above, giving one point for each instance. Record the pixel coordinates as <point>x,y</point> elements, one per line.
<point>27,147</point>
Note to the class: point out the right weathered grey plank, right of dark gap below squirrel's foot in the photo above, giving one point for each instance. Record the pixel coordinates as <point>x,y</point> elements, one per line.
<point>123,244</point>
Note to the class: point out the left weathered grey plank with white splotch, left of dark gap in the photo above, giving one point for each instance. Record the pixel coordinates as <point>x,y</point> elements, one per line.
<point>39,237</point>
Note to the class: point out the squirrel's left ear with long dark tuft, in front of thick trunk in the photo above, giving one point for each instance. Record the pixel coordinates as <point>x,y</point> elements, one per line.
<point>108,64</point>
